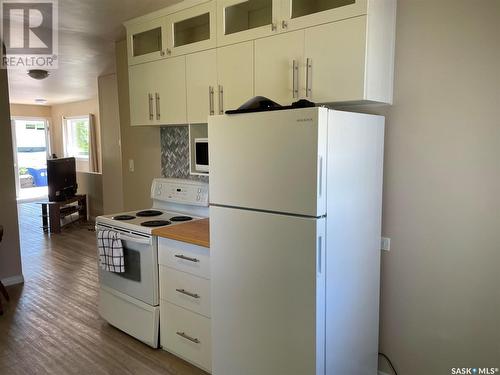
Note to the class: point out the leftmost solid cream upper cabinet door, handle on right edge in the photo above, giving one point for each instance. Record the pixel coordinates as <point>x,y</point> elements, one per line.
<point>142,90</point>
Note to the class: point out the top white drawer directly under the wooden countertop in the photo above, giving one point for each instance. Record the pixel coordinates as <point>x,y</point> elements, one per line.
<point>184,257</point>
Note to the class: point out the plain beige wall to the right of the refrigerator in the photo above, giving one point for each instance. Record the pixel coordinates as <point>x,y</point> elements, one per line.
<point>440,304</point>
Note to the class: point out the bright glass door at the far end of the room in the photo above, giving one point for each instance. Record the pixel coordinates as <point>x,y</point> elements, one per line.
<point>31,142</point>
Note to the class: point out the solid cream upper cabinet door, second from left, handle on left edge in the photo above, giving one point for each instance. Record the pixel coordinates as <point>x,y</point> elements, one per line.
<point>171,104</point>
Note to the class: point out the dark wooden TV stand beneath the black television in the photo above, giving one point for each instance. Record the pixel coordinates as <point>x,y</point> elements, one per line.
<point>54,212</point>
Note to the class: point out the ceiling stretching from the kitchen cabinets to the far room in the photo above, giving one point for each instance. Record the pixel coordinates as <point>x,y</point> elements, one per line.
<point>87,32</point>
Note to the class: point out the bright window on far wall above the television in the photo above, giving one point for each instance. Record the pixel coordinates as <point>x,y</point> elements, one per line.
<point>77,132</point>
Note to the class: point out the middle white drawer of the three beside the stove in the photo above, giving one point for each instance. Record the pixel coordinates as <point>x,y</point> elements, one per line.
<point>185,290</point>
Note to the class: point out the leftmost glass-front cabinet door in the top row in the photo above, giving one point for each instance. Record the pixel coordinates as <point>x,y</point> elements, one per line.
<point>146,41</point>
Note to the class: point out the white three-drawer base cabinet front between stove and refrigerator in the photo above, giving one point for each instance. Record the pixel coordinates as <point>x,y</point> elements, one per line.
<point>185,323</point>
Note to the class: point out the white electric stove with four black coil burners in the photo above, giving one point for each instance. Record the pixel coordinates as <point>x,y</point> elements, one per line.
<point>130,300</point>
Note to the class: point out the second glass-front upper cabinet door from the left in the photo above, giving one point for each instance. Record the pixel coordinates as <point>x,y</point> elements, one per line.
<point>192,29</point>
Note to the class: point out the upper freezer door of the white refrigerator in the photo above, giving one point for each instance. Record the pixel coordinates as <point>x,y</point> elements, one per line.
<point>271,161</point>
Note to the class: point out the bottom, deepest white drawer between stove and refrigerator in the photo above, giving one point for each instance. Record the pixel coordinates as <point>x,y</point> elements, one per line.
<point>186,335</point>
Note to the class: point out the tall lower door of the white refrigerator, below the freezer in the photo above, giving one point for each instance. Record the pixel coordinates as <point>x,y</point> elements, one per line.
<point>268,293</point>
